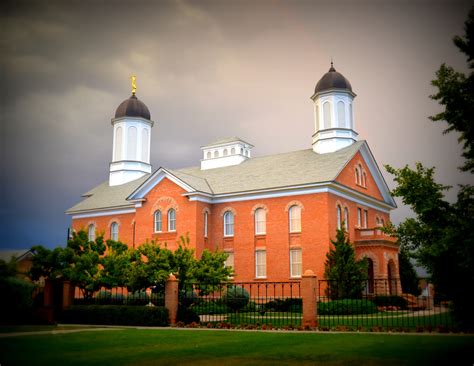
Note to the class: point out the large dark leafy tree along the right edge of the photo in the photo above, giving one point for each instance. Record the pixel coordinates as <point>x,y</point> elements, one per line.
<point>440,236</point>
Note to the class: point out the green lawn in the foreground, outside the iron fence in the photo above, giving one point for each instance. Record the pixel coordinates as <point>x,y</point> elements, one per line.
<point>202,347</point>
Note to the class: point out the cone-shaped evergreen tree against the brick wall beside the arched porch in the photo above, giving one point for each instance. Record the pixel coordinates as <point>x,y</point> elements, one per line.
<point>346,276</point>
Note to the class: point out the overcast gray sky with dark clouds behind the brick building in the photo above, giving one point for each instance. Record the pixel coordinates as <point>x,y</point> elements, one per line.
<point>207,70</point>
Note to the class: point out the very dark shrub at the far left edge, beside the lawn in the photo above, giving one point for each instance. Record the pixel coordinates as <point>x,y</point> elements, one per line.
<point>16,304</point>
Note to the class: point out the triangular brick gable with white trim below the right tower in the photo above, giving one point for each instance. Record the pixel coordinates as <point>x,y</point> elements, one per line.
<point>374,184</point>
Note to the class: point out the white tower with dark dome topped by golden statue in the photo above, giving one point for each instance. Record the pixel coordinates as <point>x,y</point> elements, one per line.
<point>132,139</point>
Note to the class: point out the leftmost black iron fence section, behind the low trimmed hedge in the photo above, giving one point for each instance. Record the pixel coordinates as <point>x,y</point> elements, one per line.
<point>120,296</point>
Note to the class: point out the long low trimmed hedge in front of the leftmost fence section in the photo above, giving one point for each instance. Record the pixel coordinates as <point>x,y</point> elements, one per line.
<point>116,315</point>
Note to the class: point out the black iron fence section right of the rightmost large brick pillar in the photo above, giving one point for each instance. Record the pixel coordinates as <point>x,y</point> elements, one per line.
<point>380,304</point>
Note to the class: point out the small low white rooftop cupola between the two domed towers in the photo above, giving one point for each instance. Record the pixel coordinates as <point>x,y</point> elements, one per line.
<point>225,152</point>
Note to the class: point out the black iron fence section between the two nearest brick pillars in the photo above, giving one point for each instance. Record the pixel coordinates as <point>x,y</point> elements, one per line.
<point>266,304</point>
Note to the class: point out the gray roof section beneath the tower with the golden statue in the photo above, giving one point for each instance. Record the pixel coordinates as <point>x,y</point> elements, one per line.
<point>105,196</point>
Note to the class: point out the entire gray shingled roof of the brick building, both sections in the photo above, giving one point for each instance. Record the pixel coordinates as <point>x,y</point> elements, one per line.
<point>267,172</point>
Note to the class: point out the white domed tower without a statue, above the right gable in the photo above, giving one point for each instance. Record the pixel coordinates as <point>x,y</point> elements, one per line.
<point>333,116</point>
